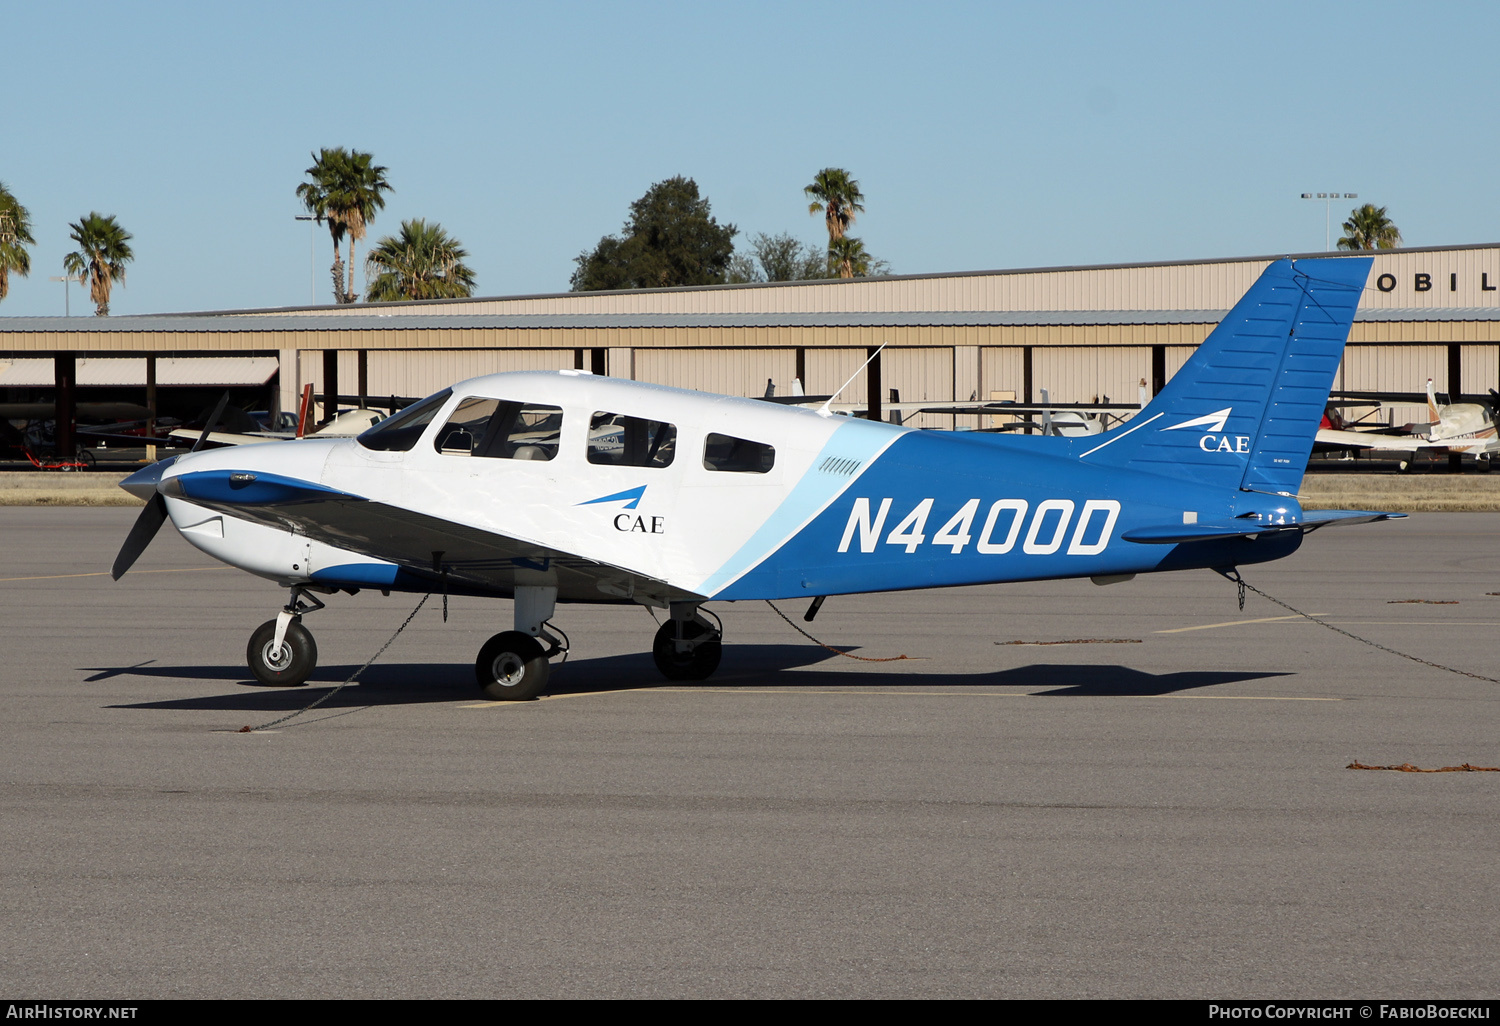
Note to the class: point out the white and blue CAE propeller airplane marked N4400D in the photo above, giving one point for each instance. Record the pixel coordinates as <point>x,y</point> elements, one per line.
<point>565,487</point>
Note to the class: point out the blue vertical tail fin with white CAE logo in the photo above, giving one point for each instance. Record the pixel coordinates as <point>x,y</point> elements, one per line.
<point>1244,410</point>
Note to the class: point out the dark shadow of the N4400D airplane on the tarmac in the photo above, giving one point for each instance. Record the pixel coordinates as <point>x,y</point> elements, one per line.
<point>746,667</point>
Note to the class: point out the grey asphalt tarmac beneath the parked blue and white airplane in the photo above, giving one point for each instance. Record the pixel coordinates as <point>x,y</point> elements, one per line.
<point>1159,811</point>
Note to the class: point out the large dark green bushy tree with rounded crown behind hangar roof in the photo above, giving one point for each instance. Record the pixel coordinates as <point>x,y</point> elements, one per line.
<point>671,239</point>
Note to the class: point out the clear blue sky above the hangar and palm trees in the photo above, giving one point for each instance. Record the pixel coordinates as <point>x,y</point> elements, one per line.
<point>985,136</point>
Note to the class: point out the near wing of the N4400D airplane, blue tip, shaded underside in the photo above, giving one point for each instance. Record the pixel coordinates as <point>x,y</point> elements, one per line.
<point>425,547</point>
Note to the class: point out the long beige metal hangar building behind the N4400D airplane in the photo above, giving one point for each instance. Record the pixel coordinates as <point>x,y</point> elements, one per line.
<point>1079,332</point>
